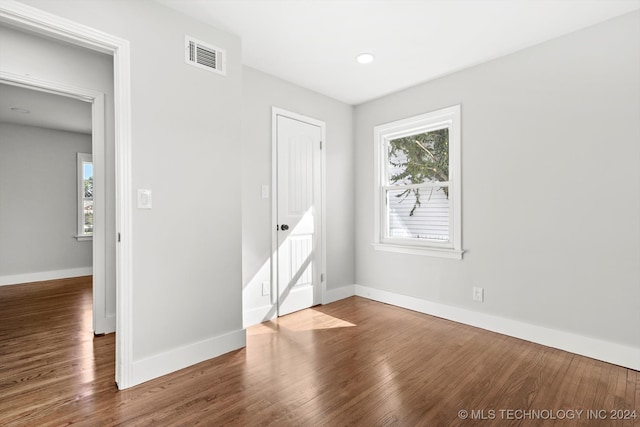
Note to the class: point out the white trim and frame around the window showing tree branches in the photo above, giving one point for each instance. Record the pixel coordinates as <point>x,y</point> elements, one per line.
<point>411,126</point>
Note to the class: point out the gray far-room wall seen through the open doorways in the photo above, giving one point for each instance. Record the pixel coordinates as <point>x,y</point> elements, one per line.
<point>38,200</point>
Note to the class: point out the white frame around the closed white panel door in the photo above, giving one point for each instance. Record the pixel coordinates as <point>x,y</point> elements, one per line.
<point>275,112</point>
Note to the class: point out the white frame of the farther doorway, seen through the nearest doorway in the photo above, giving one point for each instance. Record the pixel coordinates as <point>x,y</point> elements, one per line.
<point>101,322</point>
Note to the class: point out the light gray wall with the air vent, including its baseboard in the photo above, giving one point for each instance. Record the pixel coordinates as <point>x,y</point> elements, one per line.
<point>187,301</point>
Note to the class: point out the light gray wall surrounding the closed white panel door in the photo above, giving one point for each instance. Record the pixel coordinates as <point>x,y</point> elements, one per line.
<point>261,92</point>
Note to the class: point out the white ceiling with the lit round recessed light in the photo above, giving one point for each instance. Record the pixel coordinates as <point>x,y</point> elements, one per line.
<point>313,43</point>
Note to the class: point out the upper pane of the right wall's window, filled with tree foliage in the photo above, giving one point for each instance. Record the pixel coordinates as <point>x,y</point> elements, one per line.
<point>419,158</point>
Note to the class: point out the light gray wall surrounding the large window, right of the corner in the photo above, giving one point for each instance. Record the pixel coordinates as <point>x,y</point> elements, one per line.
<point>550,181</point>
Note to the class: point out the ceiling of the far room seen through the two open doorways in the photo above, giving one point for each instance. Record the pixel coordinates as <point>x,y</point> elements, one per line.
<point>45,109</point>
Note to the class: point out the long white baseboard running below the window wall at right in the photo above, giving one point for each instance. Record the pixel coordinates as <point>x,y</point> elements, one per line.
<point>617,354</point>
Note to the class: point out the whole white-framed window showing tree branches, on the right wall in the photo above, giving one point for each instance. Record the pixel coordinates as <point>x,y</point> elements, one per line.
<point>417,203</point>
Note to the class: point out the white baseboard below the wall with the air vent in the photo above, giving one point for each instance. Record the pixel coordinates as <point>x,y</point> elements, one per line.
<point>182,357</point>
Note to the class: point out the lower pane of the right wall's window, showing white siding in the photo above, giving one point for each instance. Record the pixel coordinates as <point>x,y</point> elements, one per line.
<point>421,213</point>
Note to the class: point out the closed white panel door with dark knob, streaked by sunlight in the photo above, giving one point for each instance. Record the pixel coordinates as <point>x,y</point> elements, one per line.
<point>298,214</point>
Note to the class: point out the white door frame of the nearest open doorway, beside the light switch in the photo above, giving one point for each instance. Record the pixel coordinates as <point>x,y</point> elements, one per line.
<point>53,26</point>
